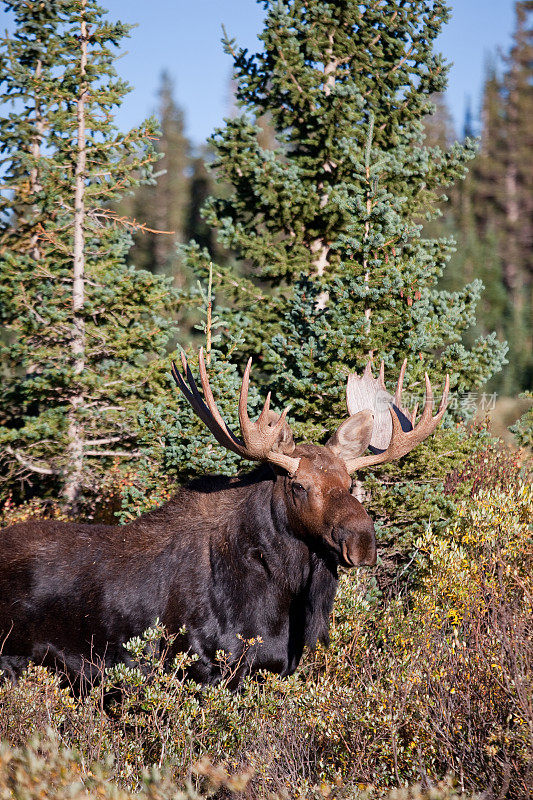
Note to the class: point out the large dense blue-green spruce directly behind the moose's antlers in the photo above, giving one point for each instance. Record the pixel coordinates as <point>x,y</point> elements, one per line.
<point>331,219</point>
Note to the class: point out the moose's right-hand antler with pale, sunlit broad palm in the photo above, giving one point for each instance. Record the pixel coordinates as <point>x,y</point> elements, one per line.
<point>395,433</point>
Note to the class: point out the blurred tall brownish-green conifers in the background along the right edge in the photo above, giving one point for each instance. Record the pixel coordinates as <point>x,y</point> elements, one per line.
<point>493,208</point>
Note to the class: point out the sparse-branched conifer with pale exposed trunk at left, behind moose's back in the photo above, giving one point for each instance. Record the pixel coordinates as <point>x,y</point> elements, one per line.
<point>84,330</point>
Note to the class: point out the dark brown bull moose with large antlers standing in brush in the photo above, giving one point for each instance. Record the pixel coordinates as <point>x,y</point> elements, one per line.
<point>225,559</point>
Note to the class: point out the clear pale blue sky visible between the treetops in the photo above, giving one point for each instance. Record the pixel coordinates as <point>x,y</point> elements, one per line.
<point>183,36</point>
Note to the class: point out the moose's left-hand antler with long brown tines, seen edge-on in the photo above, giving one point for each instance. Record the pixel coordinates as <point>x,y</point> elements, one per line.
<point>262,440</point>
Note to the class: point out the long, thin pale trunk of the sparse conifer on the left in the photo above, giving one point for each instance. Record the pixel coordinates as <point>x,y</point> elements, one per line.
<point>75,428</point>
